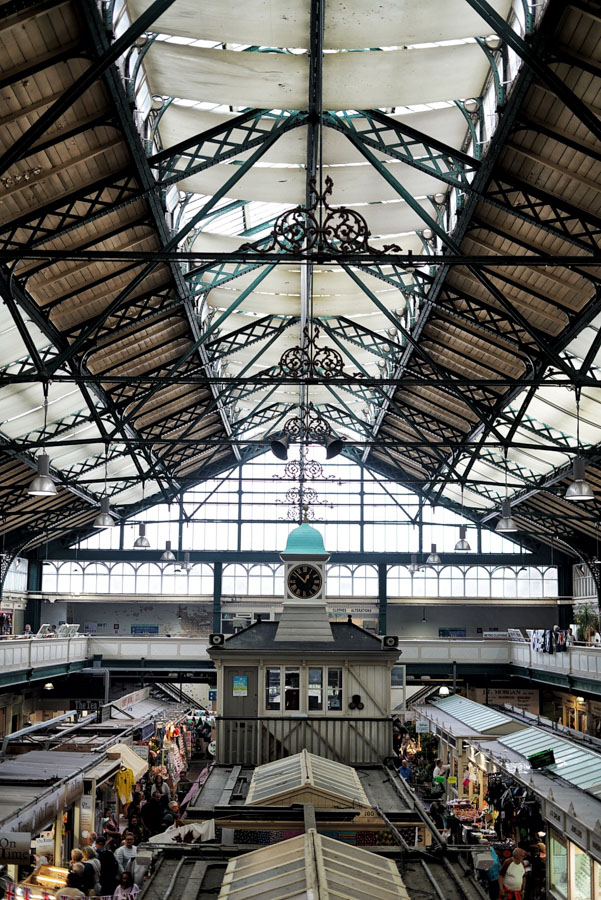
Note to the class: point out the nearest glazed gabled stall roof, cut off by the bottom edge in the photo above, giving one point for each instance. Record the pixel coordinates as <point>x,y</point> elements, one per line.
<point>312,866</point>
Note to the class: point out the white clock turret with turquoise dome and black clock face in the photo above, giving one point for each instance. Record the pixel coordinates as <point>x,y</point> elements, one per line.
<point>304,614</point>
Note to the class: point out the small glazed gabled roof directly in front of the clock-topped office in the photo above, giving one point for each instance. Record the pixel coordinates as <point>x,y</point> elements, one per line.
<point>306,778</point>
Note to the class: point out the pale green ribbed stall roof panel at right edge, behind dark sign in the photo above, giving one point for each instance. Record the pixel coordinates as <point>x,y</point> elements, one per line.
<point>574,764</point>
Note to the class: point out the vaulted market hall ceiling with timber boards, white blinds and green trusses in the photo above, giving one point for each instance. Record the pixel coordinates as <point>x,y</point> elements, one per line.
<point>438,135</point>
